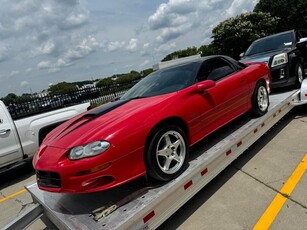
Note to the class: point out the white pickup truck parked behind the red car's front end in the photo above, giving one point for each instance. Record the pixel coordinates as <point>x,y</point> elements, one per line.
<point>20,139</point>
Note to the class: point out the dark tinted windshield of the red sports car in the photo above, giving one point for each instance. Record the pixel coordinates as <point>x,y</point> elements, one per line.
<point>164,81</point>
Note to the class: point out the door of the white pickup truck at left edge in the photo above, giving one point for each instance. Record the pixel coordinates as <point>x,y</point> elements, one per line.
<point>10,149</point>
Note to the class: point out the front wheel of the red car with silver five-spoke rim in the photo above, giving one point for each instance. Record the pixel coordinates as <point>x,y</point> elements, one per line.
<point>167,154</point>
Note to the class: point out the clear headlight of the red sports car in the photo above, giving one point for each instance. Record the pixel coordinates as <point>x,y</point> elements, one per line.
<point>88,150</point>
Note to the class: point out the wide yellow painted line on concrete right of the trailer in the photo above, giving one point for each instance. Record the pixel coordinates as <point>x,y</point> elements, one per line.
<point>272,211</point>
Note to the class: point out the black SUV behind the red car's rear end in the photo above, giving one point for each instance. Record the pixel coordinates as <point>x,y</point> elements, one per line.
<point>286,55</point>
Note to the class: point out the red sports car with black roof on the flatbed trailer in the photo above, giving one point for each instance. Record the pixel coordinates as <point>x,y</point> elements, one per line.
<point>150,128</point>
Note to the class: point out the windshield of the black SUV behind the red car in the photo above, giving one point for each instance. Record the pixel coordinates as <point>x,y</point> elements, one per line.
<point>271,43</point>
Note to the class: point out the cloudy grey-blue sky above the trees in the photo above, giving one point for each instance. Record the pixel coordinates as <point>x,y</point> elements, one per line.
<point>45,42</point>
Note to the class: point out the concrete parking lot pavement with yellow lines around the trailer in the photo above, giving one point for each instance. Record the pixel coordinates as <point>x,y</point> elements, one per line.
<point>264,187</point>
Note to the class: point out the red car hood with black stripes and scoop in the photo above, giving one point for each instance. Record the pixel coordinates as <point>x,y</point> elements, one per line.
<point>104,122</point>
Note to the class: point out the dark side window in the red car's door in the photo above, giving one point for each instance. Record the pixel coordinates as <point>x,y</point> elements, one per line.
<point>214,70</point>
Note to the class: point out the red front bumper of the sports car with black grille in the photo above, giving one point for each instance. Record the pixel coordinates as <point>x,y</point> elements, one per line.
<point>56,173</point>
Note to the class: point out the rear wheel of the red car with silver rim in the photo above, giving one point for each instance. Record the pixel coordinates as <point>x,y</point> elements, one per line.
<point>260,100</point>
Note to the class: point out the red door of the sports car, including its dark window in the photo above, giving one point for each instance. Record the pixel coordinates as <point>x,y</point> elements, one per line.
<point>228,98</point>
